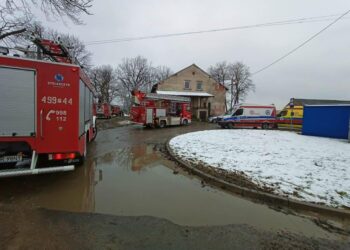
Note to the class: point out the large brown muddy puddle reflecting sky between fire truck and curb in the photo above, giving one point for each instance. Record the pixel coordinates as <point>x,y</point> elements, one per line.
<point>126,174</point>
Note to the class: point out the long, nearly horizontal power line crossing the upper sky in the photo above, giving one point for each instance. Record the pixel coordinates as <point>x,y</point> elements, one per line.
<point>277,23</point>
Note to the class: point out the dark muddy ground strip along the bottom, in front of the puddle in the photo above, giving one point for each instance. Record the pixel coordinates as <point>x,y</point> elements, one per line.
<point>47,229</point>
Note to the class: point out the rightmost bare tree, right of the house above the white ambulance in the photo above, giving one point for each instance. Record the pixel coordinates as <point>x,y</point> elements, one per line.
<point>240,82</point>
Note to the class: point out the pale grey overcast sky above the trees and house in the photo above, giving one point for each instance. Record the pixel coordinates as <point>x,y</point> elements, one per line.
<point>320,70</point>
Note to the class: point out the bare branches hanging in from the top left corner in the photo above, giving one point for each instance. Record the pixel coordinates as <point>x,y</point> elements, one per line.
<point>56,8</point>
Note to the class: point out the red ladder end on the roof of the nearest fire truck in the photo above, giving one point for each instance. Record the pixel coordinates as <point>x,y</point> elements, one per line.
<point>56,51</point>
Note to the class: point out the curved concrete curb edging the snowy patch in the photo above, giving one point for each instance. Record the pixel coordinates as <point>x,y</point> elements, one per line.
<point>259,195</point>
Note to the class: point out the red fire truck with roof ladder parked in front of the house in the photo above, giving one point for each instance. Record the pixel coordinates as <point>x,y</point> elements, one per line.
<point>156,110</point>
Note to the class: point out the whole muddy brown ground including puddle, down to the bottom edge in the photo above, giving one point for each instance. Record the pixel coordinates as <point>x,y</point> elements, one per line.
<point>108,183</point>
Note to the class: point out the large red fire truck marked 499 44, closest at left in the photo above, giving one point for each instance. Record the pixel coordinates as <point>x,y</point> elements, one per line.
<point>46,113</point>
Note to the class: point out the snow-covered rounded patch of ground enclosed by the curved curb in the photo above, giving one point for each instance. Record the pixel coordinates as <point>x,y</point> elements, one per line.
<point>303,167</point>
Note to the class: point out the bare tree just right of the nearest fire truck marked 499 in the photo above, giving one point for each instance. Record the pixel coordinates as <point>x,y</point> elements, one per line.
<point>105,82</point>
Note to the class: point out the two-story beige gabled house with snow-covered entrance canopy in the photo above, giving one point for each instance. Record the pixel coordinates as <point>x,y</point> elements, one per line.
<point>208,97</point>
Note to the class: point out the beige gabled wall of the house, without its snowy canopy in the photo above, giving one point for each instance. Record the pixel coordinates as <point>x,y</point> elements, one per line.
<point>195,75</point>
